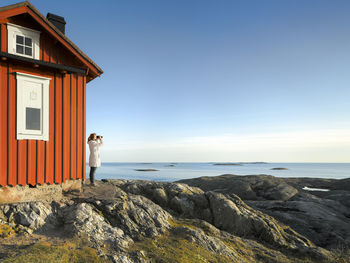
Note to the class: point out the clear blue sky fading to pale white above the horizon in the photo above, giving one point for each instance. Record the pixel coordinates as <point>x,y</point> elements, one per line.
<point>199,80</point>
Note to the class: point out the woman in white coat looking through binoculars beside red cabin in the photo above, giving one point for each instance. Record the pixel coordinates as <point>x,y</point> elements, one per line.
<point>95,142</point>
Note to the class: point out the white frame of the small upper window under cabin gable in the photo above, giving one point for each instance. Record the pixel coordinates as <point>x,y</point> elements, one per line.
<point>14,30</point>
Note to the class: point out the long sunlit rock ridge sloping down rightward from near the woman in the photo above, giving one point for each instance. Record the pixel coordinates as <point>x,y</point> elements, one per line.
<point>226,212</point>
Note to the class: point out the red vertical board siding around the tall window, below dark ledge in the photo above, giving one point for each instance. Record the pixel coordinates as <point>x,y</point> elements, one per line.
<point>37,162</point>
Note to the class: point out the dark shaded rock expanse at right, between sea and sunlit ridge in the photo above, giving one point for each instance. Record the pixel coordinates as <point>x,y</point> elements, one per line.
<point>322,217</point>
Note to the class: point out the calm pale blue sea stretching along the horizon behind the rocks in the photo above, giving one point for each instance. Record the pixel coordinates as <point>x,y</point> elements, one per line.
<point>191,170</point>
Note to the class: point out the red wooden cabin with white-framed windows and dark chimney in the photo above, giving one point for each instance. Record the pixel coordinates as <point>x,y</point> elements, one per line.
<point>43,78</point>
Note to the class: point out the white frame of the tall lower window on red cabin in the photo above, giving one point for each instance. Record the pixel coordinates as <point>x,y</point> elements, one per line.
<point>22,132</point>
